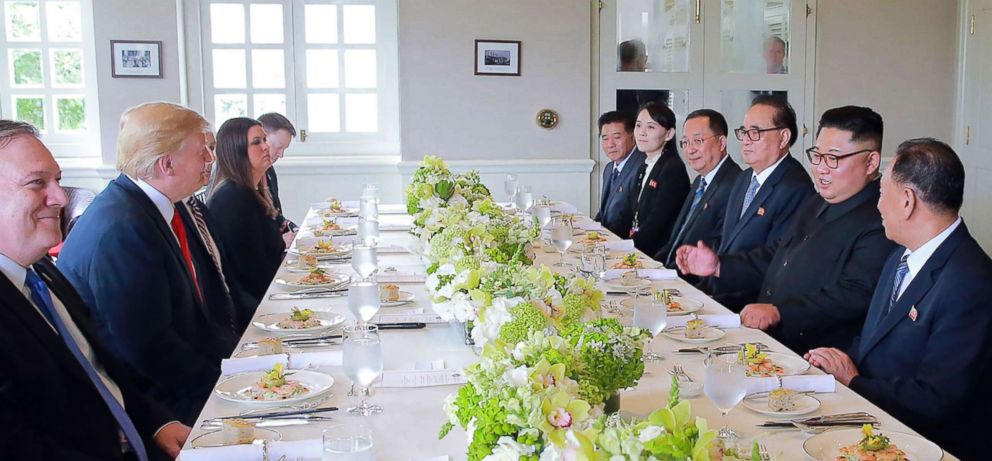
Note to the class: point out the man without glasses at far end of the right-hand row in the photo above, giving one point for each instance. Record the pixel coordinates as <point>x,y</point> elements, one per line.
<point>616,208</point>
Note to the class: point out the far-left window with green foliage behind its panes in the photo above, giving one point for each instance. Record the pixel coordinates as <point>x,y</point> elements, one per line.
<point>48,78</point>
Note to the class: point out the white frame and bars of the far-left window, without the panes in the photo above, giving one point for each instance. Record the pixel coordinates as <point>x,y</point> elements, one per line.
<point>64,145</point>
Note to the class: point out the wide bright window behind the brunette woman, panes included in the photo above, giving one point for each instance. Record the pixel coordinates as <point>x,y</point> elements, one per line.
<point>328,65</point>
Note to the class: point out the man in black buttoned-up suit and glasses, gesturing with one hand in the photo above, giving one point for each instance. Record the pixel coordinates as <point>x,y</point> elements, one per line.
<point>817,280</point>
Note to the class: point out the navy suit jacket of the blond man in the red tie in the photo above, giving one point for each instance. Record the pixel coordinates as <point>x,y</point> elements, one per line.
<point>126,264</point>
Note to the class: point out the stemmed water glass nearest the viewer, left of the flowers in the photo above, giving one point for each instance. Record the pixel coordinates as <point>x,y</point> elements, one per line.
<point>362,363</point>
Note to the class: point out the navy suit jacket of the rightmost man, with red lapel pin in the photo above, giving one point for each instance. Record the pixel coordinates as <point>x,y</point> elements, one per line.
<point>928,362</point>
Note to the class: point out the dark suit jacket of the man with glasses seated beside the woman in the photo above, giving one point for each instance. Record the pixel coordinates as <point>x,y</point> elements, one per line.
<point>706,223</point>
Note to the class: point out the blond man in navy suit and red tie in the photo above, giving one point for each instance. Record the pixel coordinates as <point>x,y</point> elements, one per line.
<point>136,261</point>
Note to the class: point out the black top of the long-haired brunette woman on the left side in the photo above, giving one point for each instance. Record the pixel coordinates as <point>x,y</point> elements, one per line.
<point>253,240</point>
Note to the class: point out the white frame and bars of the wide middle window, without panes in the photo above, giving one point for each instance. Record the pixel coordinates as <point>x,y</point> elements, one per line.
<point>383,143</point>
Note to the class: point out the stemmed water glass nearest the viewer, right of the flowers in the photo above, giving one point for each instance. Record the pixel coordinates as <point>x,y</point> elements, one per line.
<point>725,385</point>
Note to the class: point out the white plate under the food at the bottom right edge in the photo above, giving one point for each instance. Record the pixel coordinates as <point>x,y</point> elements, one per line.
<point>826,446</point>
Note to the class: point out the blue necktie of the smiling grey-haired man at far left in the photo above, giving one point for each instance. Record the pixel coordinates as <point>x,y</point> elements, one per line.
<point>41,298</point>
